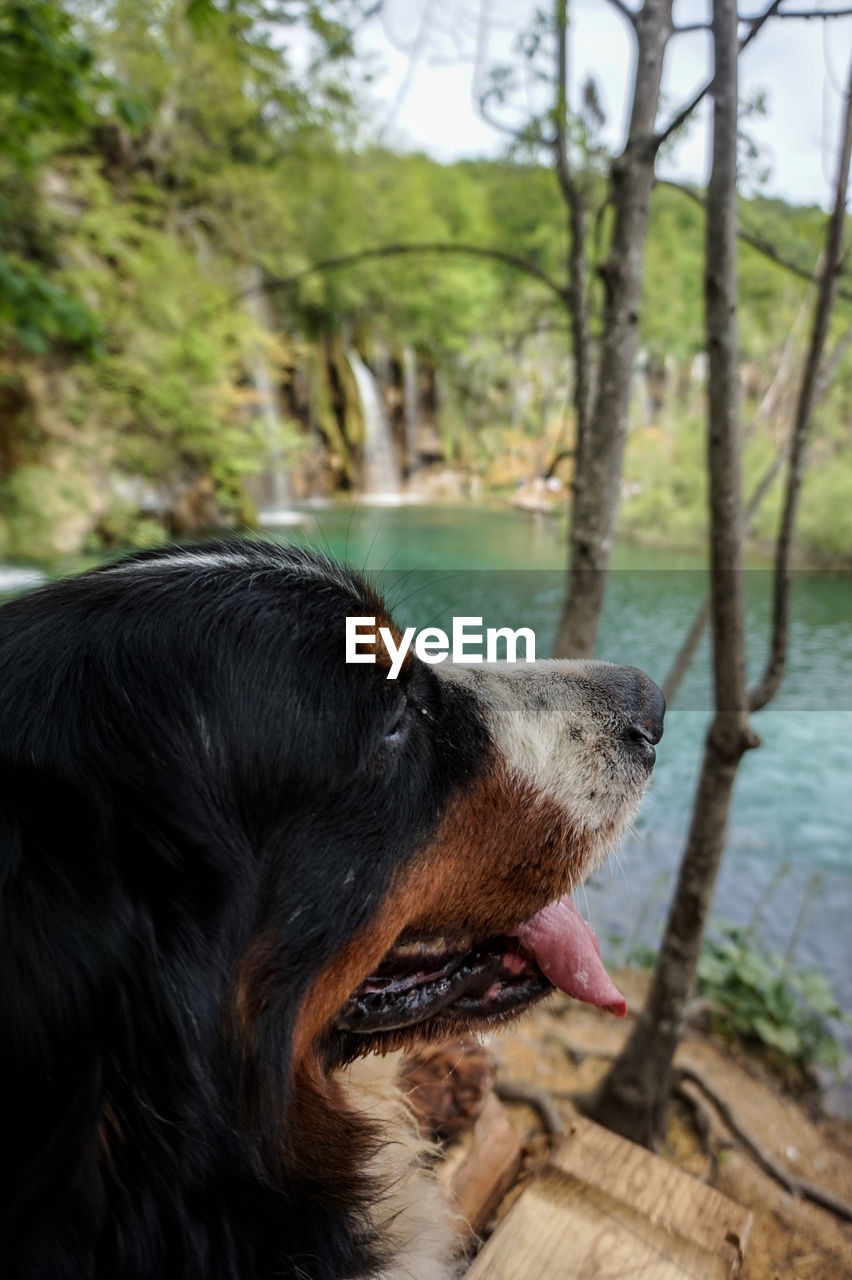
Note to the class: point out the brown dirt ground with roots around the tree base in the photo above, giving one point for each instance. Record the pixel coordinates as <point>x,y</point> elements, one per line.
<point>566,1052</point>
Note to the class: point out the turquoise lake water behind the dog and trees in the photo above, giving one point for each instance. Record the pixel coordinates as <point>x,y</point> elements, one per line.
<point>789,865</point>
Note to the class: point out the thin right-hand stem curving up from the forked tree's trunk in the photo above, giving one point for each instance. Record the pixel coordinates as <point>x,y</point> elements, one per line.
<point>777,661</point>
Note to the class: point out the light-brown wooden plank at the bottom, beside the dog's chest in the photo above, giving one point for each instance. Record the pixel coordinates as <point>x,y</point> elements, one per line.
<point>606,1210</point>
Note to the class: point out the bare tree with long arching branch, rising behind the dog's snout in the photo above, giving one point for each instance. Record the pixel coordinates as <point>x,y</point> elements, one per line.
<point>603,372</point>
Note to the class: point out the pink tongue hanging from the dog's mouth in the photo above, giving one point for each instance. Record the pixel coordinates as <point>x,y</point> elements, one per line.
<point>567,953</point>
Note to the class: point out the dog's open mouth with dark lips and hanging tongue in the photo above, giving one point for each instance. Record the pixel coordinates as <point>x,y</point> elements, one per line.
<point>484,981</point>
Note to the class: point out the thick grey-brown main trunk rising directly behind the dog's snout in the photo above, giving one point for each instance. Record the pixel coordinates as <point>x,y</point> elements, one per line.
<point>598,476</point>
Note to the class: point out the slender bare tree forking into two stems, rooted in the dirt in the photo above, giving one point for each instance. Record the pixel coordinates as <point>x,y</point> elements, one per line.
<point>634,1096</point>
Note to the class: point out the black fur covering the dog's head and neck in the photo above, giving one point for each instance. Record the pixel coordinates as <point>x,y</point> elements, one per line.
<point>187,765</point>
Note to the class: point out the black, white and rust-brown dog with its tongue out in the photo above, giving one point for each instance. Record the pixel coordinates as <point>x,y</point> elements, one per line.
<point>231,863</point>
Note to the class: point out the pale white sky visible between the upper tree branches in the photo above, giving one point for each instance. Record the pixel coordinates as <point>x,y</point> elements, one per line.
<point>428,56</point>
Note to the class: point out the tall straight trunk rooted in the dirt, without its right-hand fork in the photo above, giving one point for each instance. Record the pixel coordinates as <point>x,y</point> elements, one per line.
<point>634,1098</point>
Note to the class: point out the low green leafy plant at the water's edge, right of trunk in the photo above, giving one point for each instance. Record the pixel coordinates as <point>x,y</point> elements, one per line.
<point>757,1000</point>
